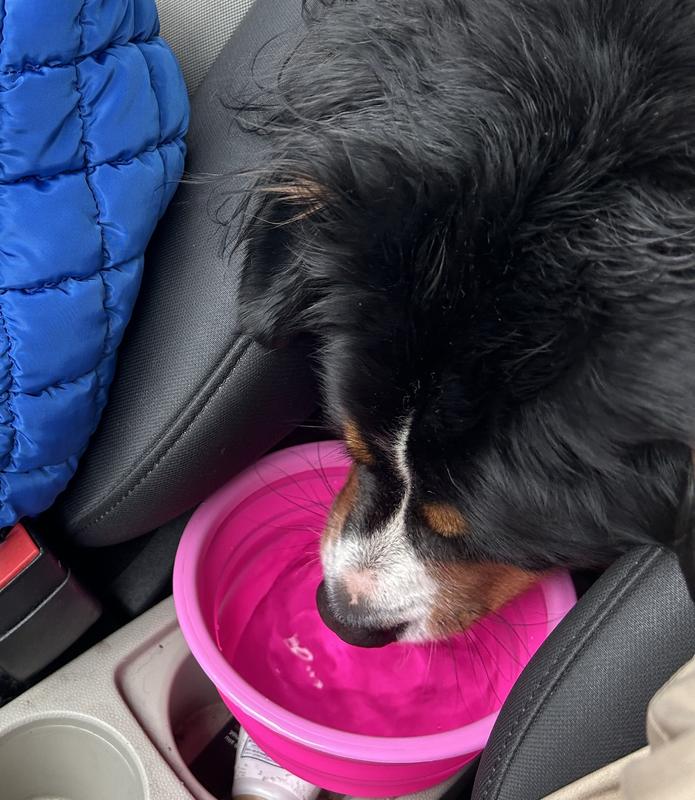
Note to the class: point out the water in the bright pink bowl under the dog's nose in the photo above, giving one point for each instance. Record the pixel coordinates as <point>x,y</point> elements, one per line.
<point>283,649</point>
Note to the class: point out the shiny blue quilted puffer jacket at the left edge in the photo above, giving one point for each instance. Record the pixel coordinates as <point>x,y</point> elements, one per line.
<point>93,110</point>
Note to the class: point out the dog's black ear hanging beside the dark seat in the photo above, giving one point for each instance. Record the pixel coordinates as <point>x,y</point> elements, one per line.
<point>275,291</point>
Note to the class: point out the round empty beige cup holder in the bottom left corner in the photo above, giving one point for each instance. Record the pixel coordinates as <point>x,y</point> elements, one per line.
<point>67,759</point>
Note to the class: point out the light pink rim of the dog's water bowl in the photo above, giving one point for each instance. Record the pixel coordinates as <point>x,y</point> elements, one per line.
<point>557,588</point>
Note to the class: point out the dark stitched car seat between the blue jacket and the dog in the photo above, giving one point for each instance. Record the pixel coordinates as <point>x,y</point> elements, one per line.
<point>192,402</point>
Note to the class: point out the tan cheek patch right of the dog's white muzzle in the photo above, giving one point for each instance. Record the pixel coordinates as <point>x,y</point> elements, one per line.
<point>469,591</point>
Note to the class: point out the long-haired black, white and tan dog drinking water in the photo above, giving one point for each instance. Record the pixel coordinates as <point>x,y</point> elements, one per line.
<point>483,214</point>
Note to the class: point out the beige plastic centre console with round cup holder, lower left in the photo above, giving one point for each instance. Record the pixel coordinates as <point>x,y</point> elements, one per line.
<point>74,736</point>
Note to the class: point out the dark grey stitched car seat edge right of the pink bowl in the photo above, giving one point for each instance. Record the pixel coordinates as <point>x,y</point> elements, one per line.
<point>581,703</point>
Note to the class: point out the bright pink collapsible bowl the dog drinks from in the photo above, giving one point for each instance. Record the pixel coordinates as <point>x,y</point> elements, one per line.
<point>244,584</point>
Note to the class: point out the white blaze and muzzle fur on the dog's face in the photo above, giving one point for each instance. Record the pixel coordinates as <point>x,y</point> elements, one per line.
<point>402,591</point>
